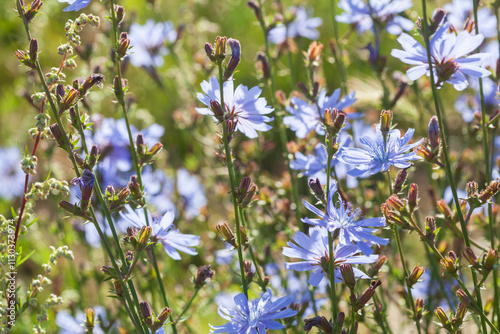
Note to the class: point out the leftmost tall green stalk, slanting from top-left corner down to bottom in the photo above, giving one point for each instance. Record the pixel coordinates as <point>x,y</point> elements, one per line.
<point>75,167</point>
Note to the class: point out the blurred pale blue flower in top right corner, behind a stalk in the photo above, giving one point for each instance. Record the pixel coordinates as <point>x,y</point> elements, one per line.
<point>459,11</point>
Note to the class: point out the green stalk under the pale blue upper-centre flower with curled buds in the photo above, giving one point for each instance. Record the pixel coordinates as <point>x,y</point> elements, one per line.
<point>232,182</point>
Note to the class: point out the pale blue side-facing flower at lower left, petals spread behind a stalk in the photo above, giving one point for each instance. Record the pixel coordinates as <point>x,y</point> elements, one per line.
<point>163,231</point>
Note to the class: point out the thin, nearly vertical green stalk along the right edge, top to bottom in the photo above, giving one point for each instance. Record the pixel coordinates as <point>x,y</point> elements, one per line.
<point>484,126</point>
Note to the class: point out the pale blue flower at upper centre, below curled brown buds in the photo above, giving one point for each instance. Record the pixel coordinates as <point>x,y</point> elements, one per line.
<point>242,105</point>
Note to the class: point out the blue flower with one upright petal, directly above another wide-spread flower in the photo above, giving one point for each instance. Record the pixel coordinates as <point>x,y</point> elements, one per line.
<point>343,218</point>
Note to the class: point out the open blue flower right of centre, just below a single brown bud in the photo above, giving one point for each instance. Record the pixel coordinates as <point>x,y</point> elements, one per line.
<point>378,155</point>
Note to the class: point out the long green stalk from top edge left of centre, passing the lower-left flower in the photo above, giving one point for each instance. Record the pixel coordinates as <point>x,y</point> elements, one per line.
<point>135,160</point>
